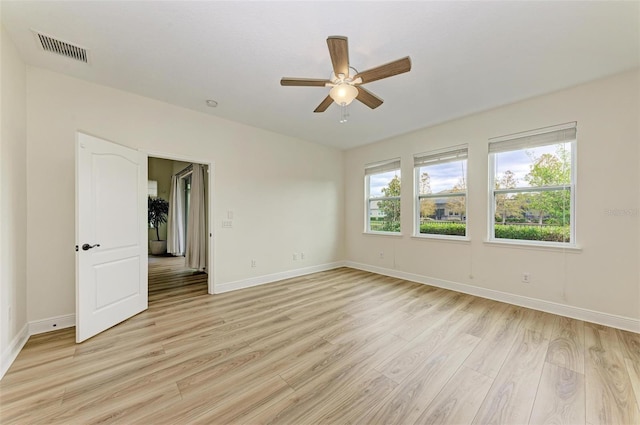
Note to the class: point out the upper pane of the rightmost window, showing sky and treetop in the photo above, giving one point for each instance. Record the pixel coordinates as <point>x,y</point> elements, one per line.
<point>535,167</point>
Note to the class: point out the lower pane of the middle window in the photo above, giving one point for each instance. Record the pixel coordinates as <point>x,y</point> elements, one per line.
<point>443,216</point>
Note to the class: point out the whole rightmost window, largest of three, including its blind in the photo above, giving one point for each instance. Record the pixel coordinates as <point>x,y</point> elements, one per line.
<point>532,176</point>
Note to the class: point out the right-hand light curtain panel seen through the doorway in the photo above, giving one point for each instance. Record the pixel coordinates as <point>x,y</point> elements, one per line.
<point>196,230</point>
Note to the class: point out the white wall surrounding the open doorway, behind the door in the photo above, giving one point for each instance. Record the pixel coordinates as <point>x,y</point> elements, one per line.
<point>286,193</point>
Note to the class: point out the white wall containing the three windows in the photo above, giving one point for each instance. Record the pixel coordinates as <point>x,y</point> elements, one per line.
<point>602,277</point>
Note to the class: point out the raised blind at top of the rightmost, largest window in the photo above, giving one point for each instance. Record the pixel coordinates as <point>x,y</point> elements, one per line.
<point>542,137</point>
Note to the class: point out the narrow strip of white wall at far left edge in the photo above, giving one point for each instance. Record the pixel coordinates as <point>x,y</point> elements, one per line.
<point>13,302</point>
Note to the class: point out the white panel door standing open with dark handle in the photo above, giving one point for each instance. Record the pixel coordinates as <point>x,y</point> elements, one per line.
<point>111,234</point>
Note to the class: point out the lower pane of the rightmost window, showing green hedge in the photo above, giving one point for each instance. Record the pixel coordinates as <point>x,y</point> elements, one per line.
<point>534,216</point>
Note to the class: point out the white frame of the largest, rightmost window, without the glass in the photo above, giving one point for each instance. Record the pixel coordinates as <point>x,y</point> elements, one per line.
<point>571,187</point>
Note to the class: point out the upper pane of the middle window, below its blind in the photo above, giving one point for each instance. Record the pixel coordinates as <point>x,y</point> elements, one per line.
<point>443,178</point>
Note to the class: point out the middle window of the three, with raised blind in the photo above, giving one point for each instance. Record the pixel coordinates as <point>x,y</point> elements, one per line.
<point>441,192</point>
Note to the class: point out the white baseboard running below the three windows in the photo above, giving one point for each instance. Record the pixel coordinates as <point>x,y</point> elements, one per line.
<point>612,320</point>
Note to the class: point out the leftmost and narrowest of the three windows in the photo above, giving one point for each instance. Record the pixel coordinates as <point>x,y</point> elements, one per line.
<point>382,183</point>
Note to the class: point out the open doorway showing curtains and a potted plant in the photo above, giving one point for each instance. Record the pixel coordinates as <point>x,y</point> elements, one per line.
<point>178,246</point>
